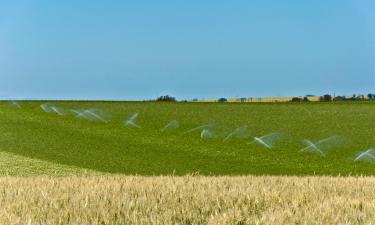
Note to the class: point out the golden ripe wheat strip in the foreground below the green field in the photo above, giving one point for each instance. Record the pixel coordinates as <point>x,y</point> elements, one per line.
<point>187,200</point>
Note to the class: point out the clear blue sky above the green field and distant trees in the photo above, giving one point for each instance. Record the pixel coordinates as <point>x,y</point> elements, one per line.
<point>136,50</point>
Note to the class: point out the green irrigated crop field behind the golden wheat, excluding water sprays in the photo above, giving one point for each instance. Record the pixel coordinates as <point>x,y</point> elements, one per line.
<point>111,148</point>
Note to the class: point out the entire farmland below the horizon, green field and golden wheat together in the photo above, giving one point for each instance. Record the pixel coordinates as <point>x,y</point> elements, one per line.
<point>82,162</point>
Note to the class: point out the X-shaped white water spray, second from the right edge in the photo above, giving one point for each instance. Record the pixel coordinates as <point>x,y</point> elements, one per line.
<point>321,146</point>
